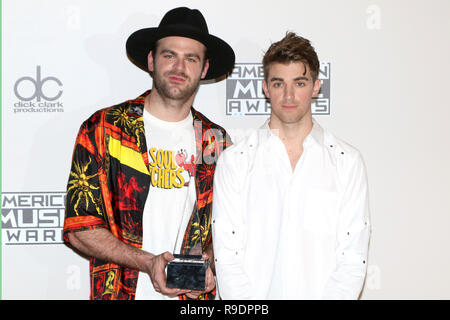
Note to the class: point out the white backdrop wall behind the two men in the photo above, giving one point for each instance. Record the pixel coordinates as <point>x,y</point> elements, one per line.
<point>388,65</point>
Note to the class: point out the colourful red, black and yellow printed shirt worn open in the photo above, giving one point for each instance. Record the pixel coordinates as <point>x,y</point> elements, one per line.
<point>109,183</point>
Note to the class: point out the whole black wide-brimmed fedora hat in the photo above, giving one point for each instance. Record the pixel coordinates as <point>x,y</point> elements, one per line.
<point>182,22</point>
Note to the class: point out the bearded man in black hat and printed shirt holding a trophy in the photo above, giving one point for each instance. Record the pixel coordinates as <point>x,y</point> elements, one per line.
<point>140,186</point>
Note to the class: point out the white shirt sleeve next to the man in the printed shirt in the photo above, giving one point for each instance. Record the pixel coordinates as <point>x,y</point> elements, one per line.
<point>228,230</point>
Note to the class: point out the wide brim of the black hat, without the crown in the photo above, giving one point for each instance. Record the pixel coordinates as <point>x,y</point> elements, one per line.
<point>220,54</point>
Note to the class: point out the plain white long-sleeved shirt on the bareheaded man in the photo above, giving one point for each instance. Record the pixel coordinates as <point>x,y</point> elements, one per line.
<point>280,233</point>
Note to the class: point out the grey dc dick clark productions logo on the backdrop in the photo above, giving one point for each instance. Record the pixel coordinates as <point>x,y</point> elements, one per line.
<point>38,94</point>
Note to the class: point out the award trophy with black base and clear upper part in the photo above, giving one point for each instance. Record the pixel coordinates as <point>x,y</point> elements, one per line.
<point>188,270</point>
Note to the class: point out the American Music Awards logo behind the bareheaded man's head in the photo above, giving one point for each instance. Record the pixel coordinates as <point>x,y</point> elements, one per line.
<point>245,96</point>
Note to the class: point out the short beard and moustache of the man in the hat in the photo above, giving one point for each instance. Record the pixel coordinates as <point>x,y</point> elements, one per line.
<point>166,90</point>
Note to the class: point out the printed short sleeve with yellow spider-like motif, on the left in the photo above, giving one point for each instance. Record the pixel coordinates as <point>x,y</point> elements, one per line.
<point>84,208</point>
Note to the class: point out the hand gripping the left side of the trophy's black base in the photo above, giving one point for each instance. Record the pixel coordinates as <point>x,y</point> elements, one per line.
<point>157,274</point>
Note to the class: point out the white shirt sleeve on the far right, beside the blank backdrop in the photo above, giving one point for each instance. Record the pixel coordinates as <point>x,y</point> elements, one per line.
<point>347,279</point>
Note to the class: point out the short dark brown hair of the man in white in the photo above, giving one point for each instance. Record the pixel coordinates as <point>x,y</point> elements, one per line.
<point>292,48</point>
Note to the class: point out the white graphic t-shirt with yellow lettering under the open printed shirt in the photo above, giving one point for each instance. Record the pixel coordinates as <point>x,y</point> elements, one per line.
<point>171,199</point>
